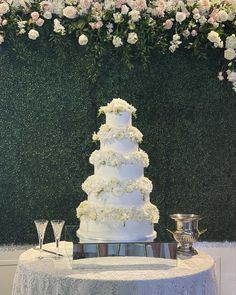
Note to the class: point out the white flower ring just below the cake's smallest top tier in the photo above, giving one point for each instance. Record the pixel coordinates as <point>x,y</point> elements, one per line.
<point>106,133</point>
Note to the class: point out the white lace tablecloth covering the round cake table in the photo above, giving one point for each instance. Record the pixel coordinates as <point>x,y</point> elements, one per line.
<point>113,275</point>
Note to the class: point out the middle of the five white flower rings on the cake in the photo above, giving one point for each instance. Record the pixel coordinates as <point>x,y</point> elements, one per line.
<point>114,159</point>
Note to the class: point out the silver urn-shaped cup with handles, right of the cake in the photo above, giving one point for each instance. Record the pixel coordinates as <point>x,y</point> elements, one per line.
<point>186,232</point>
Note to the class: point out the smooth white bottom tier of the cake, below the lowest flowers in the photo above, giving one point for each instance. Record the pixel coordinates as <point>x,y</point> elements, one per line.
<point>91,231</point>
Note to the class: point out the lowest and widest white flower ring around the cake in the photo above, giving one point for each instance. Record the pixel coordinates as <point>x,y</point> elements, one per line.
<point>149,212</point>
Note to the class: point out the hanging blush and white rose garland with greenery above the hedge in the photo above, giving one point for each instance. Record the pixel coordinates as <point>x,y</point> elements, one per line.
<point>128,25</point>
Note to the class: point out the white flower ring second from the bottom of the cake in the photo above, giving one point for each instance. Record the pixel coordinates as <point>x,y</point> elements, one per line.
<point>96,185</point>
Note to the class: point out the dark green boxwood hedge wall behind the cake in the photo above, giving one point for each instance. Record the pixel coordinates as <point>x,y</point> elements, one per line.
<point>49,112</point>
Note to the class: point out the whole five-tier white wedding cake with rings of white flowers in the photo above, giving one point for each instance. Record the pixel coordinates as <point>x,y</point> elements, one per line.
<point>118,206</point>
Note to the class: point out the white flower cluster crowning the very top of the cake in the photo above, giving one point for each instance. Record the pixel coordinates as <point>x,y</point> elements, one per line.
<point>117,105</point>
